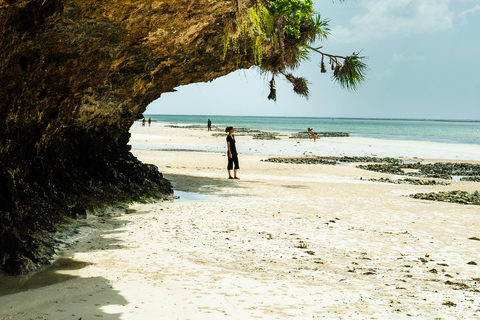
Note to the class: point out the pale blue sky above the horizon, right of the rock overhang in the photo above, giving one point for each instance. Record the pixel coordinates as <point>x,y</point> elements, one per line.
<point>423,59</point>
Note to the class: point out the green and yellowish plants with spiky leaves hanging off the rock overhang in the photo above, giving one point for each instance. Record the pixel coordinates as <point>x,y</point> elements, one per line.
<point>281,34</point>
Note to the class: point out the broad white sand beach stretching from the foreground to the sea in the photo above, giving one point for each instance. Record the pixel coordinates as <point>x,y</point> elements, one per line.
<point>286,241</point>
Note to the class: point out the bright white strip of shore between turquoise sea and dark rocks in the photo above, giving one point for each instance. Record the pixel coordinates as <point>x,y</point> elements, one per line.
<point>155,138</point>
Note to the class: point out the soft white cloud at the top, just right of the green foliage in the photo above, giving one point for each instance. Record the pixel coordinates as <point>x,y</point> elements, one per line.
<point>386,18</point>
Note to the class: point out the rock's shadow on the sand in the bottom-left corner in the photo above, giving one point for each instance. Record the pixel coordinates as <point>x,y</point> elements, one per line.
<point>58,292</point>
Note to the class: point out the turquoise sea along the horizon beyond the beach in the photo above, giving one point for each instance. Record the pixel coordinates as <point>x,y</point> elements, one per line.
<point>456,132</point>
